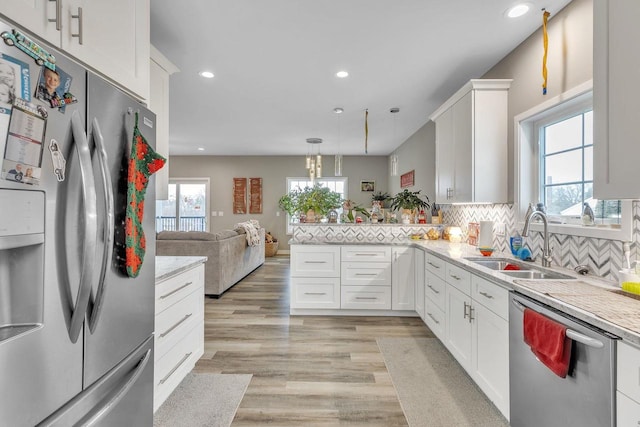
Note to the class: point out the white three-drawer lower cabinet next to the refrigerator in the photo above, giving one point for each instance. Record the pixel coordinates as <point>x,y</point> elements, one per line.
<point>179,330</point>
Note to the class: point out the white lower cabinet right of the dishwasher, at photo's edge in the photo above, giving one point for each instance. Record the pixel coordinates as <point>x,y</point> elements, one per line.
<point>628,385</point>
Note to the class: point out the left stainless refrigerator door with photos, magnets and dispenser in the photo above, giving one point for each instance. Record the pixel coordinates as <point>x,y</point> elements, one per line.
<point>42,368</point>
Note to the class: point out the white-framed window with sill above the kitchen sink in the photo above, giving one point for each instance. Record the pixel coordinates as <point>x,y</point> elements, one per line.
<point>554,166</point>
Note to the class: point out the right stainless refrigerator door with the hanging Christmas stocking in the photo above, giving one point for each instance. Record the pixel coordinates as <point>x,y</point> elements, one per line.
<point>127,308</point>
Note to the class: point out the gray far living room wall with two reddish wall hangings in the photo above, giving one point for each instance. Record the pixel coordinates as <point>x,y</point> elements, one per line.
<point>273,170</point>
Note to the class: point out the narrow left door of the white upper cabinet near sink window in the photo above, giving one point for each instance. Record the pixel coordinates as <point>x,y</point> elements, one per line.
<point>444,157</point>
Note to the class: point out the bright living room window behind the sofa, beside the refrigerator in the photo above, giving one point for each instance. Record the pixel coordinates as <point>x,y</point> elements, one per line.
<point>187,206</point>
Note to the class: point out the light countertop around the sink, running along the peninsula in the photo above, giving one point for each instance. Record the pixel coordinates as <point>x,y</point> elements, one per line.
<point>588,298</point>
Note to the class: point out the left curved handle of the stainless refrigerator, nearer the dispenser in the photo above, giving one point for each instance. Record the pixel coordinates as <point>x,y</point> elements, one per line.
<point>90,226</point>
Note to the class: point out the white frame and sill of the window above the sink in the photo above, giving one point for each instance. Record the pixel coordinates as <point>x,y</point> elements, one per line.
<point>527,172</point>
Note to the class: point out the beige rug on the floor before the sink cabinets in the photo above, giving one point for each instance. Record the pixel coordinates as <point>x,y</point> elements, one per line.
<point>433,388</point>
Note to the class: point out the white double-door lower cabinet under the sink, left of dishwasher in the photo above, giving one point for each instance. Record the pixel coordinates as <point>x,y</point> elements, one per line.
<point>477,332</point>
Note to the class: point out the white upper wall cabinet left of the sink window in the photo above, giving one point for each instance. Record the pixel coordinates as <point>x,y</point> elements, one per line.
<point>471,144</point>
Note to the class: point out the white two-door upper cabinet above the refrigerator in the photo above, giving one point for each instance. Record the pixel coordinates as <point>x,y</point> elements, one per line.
<point>111,37</point>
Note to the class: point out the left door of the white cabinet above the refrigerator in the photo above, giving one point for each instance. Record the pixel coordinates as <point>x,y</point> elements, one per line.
<point>34,15</point>
